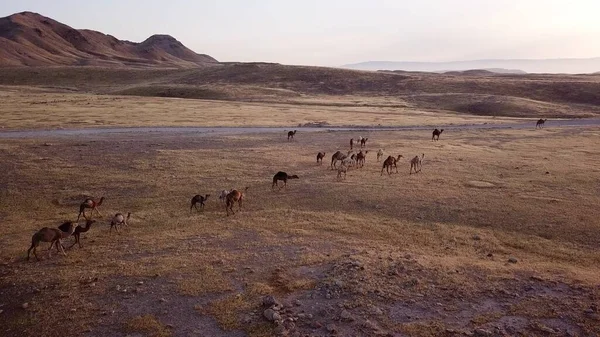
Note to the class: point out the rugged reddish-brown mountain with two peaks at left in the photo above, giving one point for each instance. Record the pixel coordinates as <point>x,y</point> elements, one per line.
<point>30,39</point>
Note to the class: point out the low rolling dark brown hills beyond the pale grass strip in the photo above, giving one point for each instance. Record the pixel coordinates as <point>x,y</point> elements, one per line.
<point>529,95</point>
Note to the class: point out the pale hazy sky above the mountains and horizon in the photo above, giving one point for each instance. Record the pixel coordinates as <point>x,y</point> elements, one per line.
<point>333,32</point>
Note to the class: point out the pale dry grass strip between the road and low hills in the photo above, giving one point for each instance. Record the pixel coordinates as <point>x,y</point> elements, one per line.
<point>33,108</point>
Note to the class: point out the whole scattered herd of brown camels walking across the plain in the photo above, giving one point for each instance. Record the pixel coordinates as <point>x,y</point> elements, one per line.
<point>229,197</point>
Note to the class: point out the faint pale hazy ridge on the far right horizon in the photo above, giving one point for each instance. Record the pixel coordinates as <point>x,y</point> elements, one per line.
<point>560,65</point>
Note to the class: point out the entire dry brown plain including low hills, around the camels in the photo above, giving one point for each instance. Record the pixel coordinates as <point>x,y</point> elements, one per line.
<point>497,236</point>
